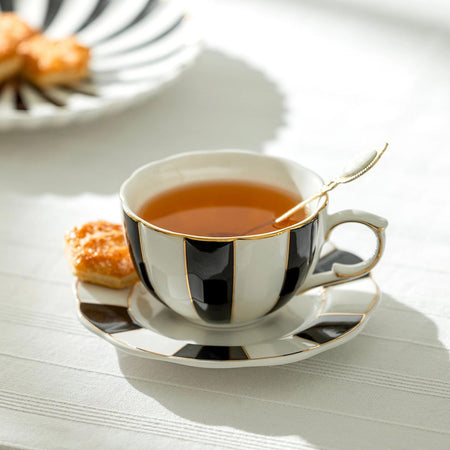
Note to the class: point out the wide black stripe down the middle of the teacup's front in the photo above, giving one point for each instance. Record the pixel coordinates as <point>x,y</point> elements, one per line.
<point>210,271</point>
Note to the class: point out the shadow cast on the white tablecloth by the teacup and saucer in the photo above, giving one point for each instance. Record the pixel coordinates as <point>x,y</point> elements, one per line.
<point>313,398</point>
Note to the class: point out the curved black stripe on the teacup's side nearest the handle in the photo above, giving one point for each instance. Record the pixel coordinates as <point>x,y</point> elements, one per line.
<point>302,248</point>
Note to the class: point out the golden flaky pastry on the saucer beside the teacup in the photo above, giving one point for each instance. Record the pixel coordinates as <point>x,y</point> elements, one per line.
<point>98,253</point>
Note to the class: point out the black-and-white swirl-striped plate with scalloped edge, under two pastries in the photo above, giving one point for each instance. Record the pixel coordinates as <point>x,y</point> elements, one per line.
<point>137,48</point>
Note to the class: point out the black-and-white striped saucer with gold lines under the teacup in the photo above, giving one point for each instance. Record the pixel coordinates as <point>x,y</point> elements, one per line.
<point>134,321</point>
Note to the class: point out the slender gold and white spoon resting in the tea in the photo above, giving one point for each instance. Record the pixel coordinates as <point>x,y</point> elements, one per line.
<point>356,167</point>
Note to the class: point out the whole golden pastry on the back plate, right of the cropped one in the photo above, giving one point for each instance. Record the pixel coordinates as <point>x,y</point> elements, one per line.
<point>48,62</point>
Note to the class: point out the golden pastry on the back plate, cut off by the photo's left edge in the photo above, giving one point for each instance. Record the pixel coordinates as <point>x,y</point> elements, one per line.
<point>13,31</point>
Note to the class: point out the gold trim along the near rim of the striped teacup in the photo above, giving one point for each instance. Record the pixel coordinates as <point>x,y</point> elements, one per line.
<point>309,219</point>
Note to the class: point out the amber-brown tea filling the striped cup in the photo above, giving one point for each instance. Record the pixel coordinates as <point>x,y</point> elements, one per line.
<point>221,208</point>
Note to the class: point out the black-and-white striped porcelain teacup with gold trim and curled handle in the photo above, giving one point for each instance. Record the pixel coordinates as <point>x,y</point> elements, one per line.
<point>232,281</point>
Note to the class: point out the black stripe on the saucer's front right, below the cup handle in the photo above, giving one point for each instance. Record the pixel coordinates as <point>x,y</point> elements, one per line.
<point>328,327</point>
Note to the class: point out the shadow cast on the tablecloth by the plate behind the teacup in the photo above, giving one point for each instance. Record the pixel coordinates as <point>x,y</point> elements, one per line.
<point>220,102</point>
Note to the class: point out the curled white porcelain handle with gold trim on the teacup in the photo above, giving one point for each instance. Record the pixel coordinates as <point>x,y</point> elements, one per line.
<point>344,272</point>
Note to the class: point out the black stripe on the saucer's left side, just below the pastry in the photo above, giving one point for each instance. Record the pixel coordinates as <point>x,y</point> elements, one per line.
<point>108,318</point>
